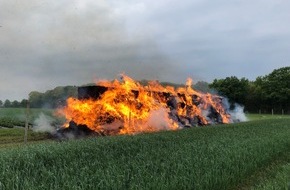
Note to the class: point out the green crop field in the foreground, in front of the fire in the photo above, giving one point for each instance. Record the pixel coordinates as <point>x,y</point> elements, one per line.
<point>219,157</point>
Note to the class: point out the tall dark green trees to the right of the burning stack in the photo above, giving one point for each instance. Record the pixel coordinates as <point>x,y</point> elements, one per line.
<point>267,94</point>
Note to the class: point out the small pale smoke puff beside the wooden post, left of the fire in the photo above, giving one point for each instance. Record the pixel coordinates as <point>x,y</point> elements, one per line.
<point>43,124</point>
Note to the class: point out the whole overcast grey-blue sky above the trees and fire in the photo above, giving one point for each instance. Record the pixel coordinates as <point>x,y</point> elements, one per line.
<point>44,44</point>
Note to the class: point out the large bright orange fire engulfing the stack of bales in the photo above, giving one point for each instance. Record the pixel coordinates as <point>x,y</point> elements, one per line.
<point>127,107</point>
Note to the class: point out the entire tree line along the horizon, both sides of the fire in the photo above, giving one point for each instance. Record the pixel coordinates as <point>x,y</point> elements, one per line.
<point>266,94</point>
